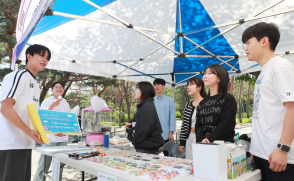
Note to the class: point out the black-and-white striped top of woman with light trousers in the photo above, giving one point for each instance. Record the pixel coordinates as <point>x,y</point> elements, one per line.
<point>186,124</point>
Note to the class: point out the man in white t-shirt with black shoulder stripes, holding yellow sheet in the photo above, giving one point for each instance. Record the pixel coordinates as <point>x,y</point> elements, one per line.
<point>17,137</point>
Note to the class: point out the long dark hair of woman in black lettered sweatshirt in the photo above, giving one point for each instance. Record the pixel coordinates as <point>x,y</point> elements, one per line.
<point>223,76</point>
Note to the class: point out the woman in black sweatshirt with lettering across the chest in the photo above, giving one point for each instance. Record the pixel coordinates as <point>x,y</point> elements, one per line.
<point>216,113</point>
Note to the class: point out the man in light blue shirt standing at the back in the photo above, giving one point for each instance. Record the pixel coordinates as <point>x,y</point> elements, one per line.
<point>165,107</point>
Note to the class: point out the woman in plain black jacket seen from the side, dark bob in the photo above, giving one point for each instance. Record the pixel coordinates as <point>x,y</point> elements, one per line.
<point>145,130</point>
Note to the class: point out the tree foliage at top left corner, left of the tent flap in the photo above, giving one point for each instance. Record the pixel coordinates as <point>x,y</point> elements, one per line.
<point>8,20</point>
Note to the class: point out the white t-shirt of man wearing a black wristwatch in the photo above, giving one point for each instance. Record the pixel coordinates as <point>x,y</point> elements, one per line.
<point>274,86</point>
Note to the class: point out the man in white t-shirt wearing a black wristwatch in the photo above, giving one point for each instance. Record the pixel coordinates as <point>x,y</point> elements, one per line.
<point>272,137</point>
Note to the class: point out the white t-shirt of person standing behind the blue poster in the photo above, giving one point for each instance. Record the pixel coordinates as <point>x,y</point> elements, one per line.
<point>62,107</point>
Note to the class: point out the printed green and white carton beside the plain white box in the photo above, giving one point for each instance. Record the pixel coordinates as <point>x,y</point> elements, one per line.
<point>237,164</point>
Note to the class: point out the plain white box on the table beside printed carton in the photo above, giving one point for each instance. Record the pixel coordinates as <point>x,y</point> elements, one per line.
<point>210,161</point>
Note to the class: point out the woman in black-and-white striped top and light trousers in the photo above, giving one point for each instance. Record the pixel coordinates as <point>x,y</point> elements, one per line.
<point>195,87</point>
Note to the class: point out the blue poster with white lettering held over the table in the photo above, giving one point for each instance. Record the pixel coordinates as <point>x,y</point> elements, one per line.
<point>54,122</point>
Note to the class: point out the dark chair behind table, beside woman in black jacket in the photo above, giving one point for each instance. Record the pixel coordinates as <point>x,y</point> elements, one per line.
<point>171,149</point>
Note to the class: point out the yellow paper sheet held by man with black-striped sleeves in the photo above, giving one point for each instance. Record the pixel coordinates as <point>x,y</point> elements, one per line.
<point>36,122</point>
